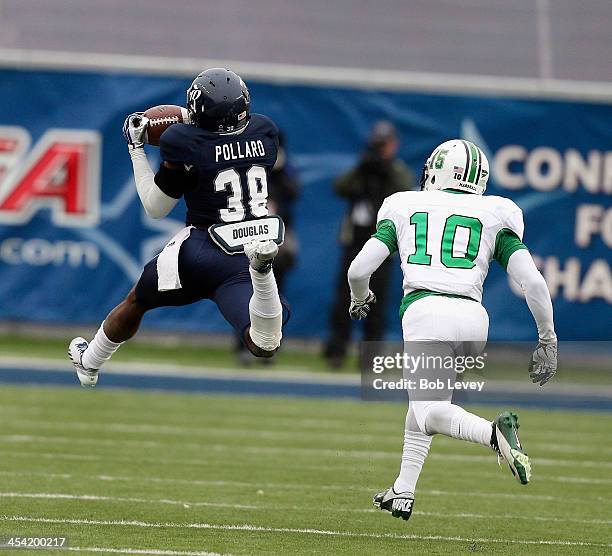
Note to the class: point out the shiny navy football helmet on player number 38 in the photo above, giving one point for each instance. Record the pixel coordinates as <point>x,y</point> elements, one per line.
<point>219,101</point>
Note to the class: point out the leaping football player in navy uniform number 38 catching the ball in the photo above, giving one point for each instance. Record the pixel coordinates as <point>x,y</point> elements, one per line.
<point>219,163</point>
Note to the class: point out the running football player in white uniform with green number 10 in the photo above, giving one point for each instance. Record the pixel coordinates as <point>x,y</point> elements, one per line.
<point>446,235</point>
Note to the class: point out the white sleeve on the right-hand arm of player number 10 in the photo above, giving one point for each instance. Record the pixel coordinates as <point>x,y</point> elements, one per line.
<point>523,271</point>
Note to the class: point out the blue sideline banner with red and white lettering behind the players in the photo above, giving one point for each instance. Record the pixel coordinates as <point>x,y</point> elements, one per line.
<point>74,238</point>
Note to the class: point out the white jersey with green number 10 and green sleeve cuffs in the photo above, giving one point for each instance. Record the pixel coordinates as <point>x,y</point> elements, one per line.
<point>446,239</point>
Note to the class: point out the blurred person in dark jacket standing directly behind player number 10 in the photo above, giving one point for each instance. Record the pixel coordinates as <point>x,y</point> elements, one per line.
<point>378,174</point>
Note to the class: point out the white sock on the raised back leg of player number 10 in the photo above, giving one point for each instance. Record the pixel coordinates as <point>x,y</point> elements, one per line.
<point>454,421</point>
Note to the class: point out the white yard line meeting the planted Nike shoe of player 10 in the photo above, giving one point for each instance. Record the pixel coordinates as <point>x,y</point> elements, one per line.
<point>276,507</point>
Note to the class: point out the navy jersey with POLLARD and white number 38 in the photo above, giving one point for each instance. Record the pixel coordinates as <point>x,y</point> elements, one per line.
<point>226,176</point>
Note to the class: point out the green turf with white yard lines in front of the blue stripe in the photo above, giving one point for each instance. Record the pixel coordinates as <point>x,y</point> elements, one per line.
<point>162,473</point>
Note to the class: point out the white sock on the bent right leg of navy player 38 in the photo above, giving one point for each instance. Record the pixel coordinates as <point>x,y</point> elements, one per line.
<point>266,311</point>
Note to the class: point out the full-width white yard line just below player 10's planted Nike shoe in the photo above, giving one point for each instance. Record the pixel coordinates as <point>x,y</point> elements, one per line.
<point>289,530</point>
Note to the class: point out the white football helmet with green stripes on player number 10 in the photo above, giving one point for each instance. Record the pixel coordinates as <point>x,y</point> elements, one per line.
<point>456,164</point>
